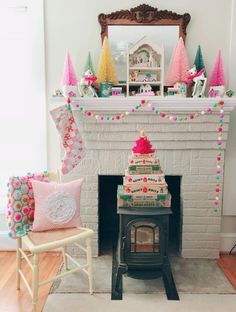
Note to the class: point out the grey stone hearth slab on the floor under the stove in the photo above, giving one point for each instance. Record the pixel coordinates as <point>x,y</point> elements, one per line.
<point>192,276</point>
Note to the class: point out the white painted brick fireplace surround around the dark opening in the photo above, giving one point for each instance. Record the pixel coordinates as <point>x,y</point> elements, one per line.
<point>186,149</point>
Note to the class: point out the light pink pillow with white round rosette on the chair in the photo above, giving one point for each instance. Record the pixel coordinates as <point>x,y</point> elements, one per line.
<point>57,206</point>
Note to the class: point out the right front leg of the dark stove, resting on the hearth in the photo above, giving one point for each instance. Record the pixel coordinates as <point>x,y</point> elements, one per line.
<point>169,283</point>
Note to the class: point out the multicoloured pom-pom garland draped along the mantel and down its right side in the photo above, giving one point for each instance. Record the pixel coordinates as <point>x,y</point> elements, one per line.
<point>144,102</point>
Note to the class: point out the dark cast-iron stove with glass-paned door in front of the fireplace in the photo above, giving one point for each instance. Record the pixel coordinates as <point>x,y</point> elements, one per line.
<point>142,249</point>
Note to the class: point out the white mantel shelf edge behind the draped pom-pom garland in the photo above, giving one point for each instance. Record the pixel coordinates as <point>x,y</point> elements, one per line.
<point>165,104</point>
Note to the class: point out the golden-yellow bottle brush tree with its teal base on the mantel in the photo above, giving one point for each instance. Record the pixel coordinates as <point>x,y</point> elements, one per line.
<point>106,72</point>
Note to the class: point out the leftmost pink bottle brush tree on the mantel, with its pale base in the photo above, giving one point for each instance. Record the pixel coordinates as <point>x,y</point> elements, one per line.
<point>69,80</point>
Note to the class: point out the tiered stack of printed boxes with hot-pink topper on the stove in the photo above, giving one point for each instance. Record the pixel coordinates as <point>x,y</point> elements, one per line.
<point>144,182</point>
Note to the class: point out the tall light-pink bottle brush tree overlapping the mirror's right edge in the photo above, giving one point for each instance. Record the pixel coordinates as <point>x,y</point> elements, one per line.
<point>179,65</point>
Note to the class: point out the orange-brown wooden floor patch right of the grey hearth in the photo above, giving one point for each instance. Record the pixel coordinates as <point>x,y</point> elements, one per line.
<point>227,263</point>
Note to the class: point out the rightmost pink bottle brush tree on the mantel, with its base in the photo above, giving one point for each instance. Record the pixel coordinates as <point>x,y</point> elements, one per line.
<point>217,78</point>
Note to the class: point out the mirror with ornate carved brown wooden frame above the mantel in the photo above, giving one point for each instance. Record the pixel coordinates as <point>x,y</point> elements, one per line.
<point>125,27</point>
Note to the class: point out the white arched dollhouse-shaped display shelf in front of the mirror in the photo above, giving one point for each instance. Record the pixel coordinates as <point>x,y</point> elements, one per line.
<point>145,65</point>
